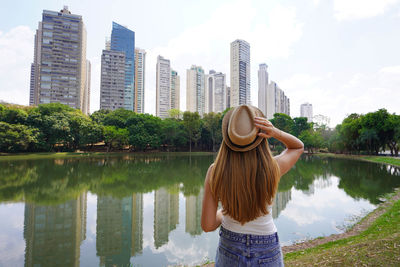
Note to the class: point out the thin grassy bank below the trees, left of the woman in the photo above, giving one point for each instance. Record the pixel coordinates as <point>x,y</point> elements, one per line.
<point>52,155</point>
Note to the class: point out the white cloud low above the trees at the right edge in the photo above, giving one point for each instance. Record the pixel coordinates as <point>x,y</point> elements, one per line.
<point>337,96</point>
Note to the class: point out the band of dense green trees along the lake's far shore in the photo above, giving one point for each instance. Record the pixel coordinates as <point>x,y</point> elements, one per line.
<point>57,127</point>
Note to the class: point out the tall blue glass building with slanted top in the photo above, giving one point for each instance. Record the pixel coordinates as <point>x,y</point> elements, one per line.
<point>123,39</point>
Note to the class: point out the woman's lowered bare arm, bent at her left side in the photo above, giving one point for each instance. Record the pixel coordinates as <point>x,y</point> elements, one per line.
<point>210,216</point>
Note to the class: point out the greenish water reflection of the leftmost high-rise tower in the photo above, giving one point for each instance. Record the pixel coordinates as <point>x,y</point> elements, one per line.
<point>53,234</point>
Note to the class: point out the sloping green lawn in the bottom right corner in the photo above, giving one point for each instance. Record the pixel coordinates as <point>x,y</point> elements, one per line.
<point>379,245</point>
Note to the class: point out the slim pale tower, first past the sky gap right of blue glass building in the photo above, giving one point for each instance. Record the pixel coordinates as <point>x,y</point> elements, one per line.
<point>163,87</point>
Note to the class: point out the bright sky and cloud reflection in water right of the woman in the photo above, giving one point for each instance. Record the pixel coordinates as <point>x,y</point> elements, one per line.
<point>319,213</point>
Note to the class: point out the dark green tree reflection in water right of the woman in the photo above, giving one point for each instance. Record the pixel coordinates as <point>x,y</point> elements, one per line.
<point>359,179</point>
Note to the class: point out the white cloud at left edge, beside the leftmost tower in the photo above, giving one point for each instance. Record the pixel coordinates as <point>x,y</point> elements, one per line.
<point>16,53</point>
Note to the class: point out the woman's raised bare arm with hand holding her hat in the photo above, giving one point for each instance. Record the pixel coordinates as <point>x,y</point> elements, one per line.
<point>294,146</point>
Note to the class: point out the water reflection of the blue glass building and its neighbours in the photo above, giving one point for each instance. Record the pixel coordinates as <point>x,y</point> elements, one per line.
<point>119,229</point>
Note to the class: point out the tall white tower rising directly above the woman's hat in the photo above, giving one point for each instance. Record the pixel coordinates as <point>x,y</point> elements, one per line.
<point>240,73</point>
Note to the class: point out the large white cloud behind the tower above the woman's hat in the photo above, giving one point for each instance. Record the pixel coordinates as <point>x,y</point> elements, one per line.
<point>208,43</point>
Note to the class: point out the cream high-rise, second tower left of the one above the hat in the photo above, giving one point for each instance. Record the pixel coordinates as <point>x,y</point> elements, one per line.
<point>195,90</point>
